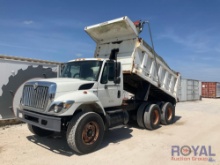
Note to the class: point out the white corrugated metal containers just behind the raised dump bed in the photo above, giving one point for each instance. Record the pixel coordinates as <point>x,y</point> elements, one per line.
<point>189,90</point>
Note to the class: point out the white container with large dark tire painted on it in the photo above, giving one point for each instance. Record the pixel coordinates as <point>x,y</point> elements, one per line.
<point>15,71</point>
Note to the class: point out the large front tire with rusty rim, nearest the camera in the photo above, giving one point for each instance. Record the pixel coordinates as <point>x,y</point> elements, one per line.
<point>85,132</point>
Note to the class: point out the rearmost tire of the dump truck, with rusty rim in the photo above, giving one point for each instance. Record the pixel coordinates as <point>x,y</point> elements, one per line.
<point>168,113</point>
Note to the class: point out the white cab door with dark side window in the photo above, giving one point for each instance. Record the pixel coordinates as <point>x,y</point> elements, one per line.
<point>110,91</point>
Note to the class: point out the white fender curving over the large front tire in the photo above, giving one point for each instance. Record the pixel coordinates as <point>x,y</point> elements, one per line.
<point>83,99</point>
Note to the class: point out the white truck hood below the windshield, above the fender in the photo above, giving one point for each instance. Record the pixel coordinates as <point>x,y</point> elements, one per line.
<point>67,84</point>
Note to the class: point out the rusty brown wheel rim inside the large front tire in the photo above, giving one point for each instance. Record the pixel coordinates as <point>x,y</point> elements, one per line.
<point>90,133</point>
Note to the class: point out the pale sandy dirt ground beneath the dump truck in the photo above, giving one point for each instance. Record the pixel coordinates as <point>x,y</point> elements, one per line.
<point>196,127</point>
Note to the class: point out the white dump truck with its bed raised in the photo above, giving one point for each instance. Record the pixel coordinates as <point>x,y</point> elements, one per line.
<point>87,99</point>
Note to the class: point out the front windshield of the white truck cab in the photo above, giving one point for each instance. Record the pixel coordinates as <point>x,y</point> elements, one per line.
<point>86,70</point>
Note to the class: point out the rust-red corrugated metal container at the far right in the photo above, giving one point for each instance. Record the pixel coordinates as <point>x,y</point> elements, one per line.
<point>211,89</point>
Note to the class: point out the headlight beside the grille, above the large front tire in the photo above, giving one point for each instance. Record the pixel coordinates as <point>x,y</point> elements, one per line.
<point>57,107</point>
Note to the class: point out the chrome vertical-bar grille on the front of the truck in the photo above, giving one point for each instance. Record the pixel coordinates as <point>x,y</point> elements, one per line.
<point>35,97</point>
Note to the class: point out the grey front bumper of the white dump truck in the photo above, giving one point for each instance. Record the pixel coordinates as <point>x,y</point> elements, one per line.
<point>45,122</point>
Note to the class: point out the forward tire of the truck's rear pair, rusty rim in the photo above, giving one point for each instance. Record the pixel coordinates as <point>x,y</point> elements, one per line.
<point>152,117</point>
